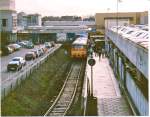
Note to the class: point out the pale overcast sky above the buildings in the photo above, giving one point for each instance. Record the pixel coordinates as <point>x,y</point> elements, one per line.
<point>79,7</point>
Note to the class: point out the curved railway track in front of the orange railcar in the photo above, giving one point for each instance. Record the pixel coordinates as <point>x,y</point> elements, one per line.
<point>65,98</point>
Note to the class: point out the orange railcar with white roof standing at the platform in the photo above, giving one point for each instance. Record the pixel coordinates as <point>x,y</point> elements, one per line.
<point>79,48</point>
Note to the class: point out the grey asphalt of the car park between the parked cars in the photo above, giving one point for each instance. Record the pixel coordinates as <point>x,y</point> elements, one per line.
<point>5,75</point>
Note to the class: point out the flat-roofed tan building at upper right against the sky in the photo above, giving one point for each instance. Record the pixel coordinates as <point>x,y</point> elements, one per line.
<point>131,17</point>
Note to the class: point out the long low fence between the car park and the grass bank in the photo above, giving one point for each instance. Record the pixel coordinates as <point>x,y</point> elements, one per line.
<point>20,77</point>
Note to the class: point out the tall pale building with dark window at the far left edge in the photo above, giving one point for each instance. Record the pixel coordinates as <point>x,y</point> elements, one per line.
<point>8,21</point>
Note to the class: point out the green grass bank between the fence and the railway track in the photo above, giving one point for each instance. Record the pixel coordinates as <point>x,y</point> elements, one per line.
<point>33,96</point>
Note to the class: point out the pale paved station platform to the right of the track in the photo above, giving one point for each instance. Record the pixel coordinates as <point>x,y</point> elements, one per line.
<point>110,102</point>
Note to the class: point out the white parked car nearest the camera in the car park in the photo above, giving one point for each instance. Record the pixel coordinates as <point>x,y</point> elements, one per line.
<point>14,65</point>
